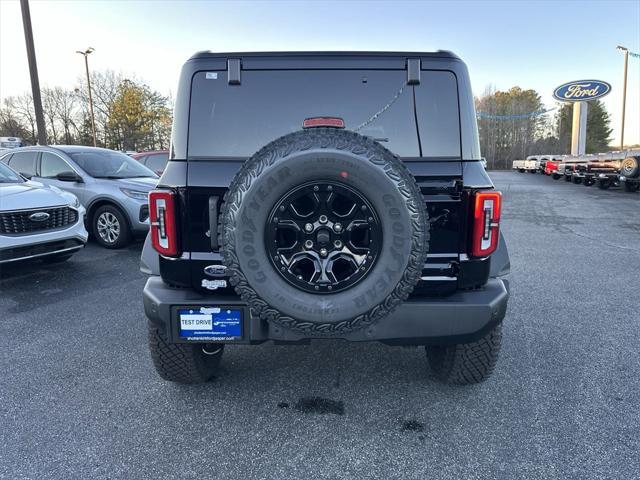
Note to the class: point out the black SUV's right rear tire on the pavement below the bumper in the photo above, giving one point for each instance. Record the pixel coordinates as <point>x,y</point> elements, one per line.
<point>466,363</point>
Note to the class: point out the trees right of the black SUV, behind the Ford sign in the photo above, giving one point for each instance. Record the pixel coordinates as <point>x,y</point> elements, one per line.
<point>515,135</point>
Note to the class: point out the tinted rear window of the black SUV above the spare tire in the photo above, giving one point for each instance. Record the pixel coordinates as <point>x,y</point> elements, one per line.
<point>237,120</point>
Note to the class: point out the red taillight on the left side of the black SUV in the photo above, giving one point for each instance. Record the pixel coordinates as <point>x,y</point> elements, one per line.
<point>162,216</point>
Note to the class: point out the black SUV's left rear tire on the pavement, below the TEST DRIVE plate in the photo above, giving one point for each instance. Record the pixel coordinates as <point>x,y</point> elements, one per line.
<point>183,362</point>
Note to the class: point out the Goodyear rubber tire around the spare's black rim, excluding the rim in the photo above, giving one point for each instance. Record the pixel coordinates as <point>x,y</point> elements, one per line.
<point>315,155</point>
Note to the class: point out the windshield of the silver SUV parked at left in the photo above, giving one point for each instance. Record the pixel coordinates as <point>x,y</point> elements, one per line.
<point>109,164</point>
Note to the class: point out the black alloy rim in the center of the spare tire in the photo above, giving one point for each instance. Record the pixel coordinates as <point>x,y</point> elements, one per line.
<point>323,237</point>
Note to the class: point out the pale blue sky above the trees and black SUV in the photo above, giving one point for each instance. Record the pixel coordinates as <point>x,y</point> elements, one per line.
<point>537,45</point>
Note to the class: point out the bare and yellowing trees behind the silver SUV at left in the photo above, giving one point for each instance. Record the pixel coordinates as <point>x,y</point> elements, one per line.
<point>129,115</point>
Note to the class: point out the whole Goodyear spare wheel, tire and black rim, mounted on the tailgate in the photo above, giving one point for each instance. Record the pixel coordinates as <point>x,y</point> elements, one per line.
<point>324,232</point>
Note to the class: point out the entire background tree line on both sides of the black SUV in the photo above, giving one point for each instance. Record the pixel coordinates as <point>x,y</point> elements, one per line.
<point>129,115</point>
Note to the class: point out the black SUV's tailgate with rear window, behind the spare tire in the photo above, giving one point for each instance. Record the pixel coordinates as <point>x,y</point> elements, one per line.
<point>229,122</point>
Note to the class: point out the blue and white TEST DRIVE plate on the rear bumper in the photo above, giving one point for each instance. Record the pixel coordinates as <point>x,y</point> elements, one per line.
<point>210,323</point>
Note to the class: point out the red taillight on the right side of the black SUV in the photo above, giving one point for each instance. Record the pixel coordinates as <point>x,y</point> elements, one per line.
<point>486,223</point>
